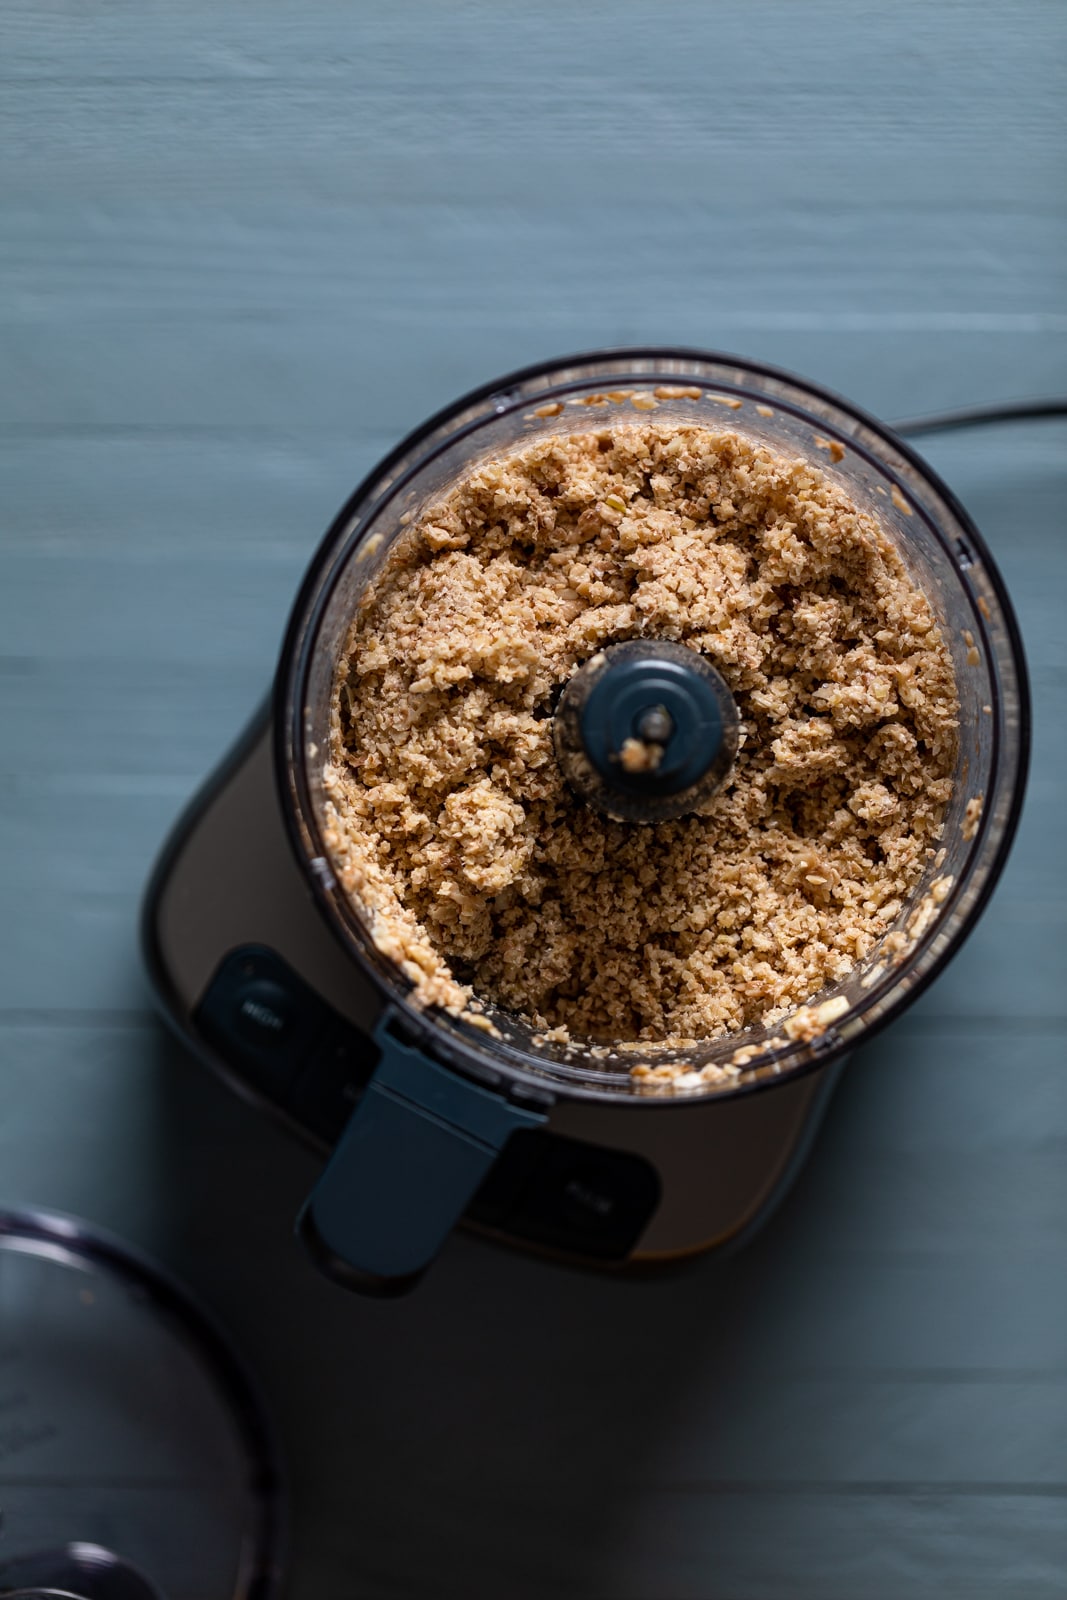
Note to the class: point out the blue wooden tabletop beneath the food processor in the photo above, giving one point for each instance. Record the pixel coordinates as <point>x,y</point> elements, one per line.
<point>246,246</point>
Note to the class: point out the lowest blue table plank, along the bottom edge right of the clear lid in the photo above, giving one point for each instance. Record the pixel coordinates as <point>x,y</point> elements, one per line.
<point>730,1548</point>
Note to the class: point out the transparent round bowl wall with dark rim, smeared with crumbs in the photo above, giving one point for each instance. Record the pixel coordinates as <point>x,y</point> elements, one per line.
<point>940,546</point>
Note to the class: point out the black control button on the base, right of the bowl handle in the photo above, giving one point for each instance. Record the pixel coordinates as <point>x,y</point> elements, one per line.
<point>583,1199</point>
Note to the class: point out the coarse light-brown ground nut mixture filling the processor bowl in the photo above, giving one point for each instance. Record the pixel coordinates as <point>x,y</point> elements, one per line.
<point>450,823</point>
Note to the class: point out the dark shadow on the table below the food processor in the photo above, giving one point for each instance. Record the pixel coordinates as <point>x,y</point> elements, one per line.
<point>492,1434</point>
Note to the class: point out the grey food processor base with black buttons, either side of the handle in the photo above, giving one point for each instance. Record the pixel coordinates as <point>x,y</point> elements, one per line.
<point>254,980</point>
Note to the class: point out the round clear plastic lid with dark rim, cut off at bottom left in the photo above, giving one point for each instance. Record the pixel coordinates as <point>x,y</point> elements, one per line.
<point>137,1460</point>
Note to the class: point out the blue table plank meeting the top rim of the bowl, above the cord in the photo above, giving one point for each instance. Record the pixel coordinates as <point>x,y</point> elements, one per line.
<point>346,375</point>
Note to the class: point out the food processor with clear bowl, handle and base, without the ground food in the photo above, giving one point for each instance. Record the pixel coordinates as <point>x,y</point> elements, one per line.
<point>270,970</point>
